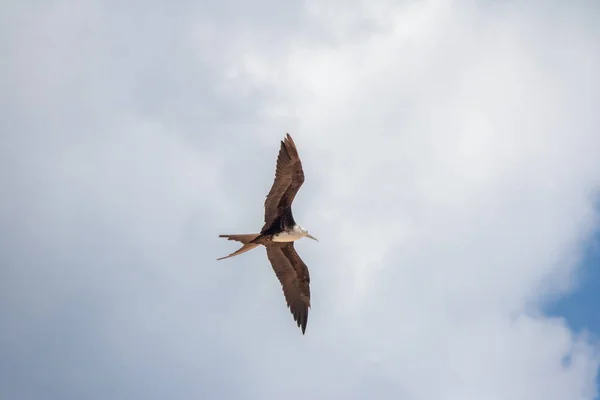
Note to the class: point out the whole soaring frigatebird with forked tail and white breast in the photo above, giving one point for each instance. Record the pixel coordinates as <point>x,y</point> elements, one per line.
<point>280,231</point>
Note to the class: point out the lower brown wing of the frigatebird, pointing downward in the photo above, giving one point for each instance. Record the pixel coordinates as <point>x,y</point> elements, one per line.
<point>294,277</point>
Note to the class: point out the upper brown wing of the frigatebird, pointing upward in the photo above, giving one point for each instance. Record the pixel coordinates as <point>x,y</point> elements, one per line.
<point>288,179</point>
